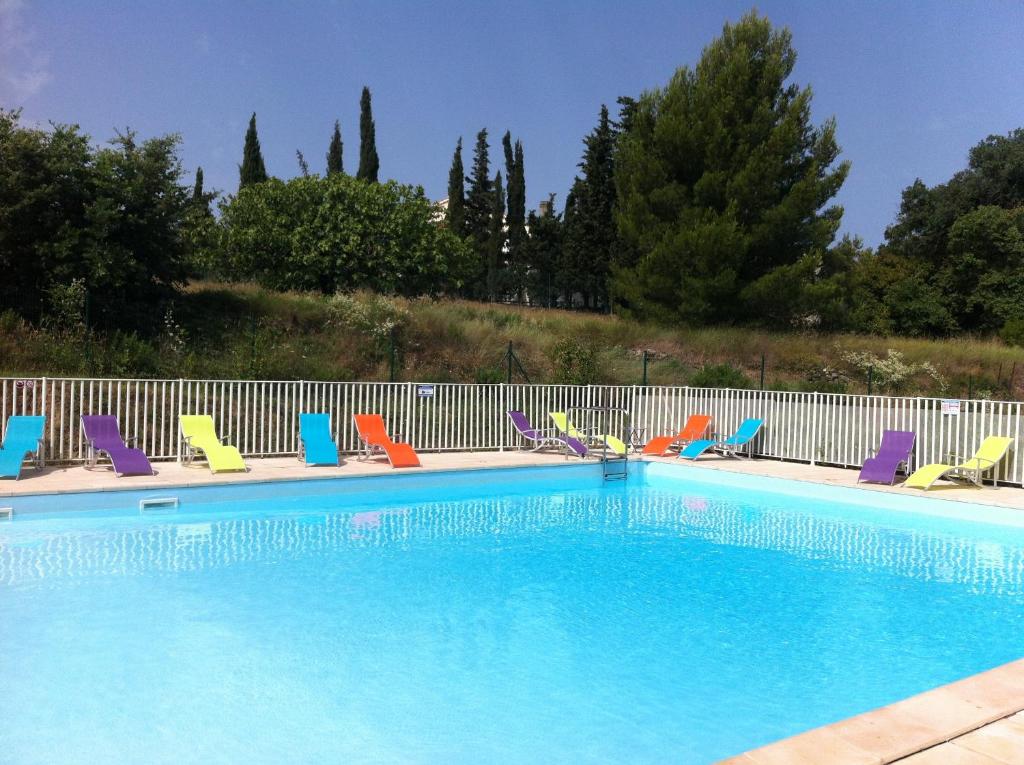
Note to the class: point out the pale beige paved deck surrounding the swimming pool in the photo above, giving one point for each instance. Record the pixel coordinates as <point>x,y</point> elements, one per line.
<point>975,721</point>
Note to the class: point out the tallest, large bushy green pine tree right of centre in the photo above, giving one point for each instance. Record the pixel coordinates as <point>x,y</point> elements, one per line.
<point>722,180</point>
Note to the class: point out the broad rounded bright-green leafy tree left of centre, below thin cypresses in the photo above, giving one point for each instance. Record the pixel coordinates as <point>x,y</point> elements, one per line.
<point>340,233</point>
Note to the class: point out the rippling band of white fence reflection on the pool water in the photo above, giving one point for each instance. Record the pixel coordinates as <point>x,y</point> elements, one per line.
<point>28,557</point>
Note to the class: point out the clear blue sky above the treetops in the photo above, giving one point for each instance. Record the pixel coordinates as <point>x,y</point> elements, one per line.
<point>912,84</point>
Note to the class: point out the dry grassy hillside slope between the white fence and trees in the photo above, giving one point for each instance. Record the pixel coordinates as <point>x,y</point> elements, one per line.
<point>241,331</point>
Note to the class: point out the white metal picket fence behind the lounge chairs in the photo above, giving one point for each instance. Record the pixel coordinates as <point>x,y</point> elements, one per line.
<point>262,417</point>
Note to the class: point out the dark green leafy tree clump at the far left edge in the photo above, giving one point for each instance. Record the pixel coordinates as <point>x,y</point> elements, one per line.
<point>110,218</point>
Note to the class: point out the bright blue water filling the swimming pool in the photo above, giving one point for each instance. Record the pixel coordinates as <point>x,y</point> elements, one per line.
<point>528,616</point>
